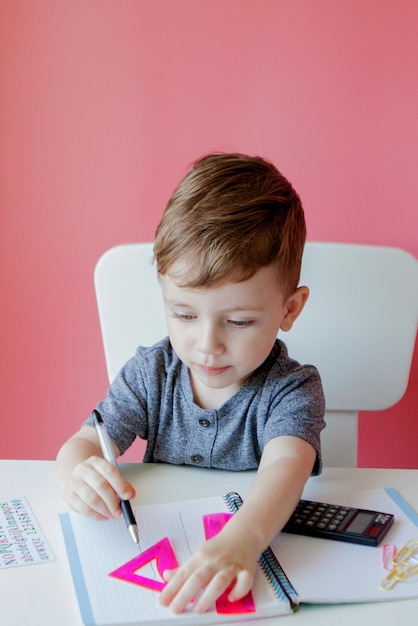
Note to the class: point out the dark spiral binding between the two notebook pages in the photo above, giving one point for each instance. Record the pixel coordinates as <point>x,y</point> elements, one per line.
<point>269,563</point>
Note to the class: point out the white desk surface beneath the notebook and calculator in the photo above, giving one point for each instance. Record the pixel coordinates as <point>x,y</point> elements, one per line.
<point>43,595</point>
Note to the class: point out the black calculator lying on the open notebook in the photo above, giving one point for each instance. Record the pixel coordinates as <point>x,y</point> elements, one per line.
<point>342,523</point>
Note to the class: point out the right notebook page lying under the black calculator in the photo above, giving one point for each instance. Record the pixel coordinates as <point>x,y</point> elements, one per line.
<point>324,571</point>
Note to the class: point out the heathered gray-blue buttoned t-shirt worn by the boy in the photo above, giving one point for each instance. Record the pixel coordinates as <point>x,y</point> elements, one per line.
<point>152,398</point>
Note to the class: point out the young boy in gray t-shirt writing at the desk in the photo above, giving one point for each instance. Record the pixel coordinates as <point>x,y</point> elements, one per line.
<point>220,391</point>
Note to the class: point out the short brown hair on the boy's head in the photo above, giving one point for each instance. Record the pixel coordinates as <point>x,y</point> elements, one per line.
<point>231,215</point>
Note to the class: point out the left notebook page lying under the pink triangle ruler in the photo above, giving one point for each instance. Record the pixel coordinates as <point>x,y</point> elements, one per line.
<point>97,548</point>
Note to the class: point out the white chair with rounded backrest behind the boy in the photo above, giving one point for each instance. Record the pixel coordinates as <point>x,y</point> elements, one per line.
<point>358,326</point>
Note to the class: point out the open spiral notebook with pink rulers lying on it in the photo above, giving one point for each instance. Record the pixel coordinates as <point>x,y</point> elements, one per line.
<point>293,570</point>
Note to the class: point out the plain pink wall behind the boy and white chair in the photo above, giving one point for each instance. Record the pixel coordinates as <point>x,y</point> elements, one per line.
<point>104,103</point>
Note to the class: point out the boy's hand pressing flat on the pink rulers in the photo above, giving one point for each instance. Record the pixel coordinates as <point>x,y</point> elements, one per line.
<point>218,564</point>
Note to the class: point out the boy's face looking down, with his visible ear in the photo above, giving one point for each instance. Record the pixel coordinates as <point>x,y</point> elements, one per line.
<point>223,333</point>
